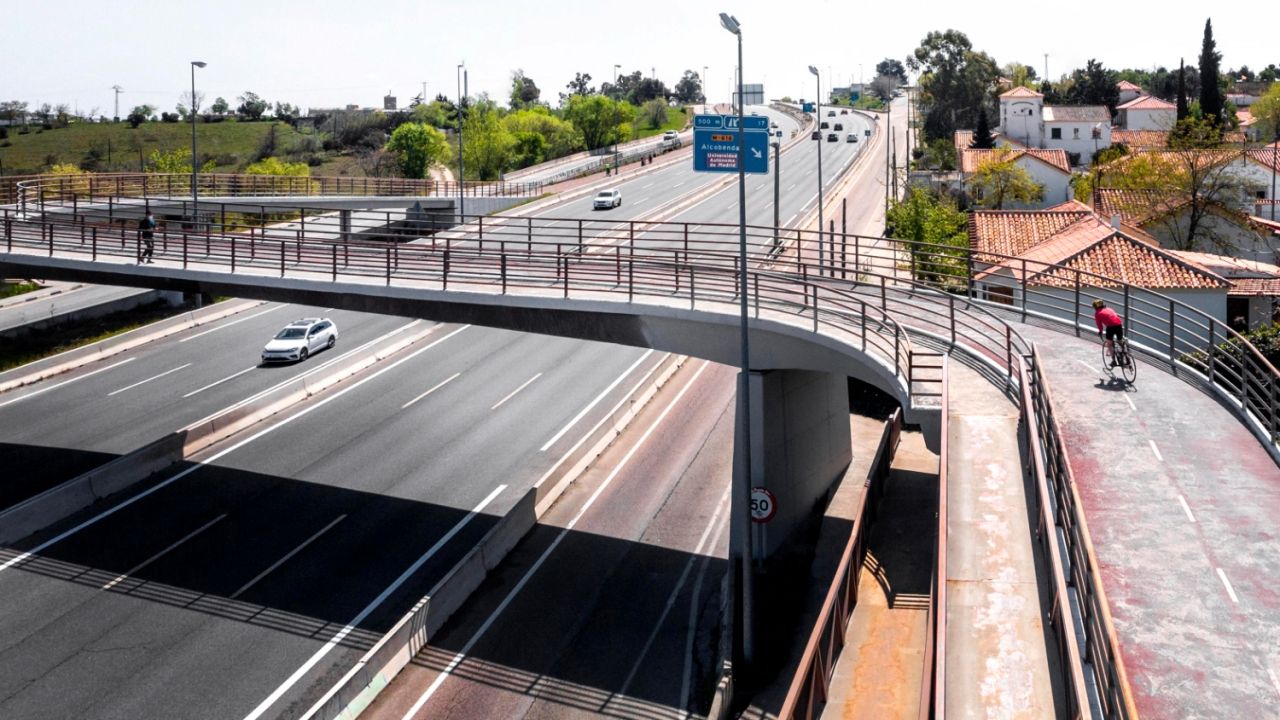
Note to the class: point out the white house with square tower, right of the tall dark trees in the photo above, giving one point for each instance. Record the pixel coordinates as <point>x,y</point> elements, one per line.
<point>1080,130</point>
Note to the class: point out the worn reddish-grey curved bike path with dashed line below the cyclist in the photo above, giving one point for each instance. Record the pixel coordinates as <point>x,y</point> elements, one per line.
<point>1182,503</point>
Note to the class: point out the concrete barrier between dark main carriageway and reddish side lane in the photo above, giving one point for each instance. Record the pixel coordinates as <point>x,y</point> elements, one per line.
<point>397,648</point>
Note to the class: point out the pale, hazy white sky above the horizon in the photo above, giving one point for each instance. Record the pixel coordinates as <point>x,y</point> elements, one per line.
<point>332,53</point>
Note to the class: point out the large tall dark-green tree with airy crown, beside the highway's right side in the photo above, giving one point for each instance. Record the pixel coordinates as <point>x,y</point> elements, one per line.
<point>956,81</point>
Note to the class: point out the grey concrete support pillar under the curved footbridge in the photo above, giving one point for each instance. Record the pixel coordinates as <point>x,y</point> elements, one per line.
<point>802,440</point>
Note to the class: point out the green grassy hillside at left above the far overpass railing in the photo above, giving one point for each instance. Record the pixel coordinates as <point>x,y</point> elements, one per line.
<point>231,144</point>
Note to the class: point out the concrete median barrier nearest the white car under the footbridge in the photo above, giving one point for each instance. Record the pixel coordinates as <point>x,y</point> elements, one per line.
<point>125,472</point>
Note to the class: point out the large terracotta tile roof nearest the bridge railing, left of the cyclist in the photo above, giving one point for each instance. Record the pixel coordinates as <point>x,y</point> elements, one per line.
<point>1096,249</point>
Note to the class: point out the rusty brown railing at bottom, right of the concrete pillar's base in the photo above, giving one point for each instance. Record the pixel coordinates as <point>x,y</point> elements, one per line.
<point>808,692</point>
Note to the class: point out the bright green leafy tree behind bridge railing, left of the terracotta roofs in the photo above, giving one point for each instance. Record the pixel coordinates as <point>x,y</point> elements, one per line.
<point>938,233</point>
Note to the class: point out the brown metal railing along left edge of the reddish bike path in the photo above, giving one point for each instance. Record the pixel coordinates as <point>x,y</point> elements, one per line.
<point>1075,566</point>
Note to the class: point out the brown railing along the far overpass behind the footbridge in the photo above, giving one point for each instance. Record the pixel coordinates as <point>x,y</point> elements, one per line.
<point>90,186</point>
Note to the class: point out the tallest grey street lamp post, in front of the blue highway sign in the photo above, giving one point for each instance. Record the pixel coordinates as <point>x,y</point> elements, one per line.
<point>742,446</point>
